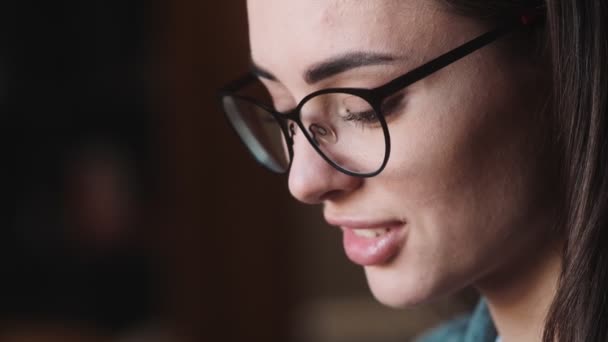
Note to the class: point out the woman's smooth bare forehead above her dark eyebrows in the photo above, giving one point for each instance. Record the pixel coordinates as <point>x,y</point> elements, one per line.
<point>306,31</point>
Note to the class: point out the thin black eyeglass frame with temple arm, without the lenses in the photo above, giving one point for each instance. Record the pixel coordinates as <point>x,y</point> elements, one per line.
<point>374,97</point>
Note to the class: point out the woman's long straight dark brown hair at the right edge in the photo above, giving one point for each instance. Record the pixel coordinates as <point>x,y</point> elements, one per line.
<point>575,32</point>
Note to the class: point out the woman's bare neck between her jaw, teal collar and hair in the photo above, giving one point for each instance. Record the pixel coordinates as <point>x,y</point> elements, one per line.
<point>519,296</point>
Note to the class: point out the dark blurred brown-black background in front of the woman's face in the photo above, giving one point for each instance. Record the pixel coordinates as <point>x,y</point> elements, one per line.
<point>130,211</point>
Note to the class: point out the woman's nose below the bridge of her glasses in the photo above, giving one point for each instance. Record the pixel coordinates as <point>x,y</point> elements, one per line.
<point>312,180</point>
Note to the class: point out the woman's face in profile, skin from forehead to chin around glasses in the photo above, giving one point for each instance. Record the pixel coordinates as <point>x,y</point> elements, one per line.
<point>465,192</point>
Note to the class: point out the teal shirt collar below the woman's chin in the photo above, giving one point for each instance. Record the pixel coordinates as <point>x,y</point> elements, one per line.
<point>476,327</point>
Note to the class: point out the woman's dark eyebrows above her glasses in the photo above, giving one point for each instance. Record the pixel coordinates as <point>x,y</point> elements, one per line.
<point>333,66</point>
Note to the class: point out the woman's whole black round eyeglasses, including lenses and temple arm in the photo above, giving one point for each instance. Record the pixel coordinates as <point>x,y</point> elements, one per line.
<point>346,126</point>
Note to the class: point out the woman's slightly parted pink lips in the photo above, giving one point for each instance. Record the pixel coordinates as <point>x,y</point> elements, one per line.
<point>373,246</point>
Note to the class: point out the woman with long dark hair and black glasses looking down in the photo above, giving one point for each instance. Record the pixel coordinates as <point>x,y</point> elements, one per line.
<point>454,142</point>
